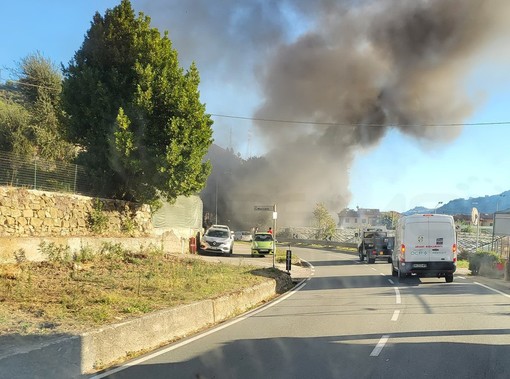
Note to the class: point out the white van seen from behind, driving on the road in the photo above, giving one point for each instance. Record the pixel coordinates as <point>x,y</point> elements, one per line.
<point>425,245</point>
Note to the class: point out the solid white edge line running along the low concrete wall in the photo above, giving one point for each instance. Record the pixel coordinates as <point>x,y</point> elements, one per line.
<point>205,334</point>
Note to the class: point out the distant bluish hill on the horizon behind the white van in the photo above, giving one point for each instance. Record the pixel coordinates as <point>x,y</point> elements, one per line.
<point>484,204</point>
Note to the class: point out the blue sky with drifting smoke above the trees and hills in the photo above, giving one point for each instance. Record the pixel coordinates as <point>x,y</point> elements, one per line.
<point>324,64</point>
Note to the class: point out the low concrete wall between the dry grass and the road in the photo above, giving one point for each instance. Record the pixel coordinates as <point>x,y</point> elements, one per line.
<point>75,356</point>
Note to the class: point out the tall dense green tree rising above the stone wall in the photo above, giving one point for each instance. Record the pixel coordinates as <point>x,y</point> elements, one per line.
<point>135,112</point>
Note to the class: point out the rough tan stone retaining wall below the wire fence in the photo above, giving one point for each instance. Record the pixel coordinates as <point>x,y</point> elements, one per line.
<point>29,213</point>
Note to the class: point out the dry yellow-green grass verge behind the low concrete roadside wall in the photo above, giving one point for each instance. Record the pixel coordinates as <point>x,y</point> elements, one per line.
<point>76,293</point>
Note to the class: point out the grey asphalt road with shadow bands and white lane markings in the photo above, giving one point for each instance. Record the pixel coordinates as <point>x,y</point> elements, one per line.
<point>350,320</point>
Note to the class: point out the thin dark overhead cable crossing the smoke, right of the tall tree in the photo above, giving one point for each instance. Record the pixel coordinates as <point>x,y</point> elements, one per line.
<point>359,124</point>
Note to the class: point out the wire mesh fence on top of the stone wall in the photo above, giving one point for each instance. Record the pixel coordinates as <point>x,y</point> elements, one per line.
<point>40,174</point>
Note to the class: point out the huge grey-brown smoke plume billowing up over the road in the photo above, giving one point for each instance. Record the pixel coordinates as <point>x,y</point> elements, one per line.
<point>348,71</point>
